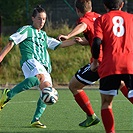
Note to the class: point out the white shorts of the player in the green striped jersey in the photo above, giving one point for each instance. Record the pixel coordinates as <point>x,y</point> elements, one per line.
<point>32,67</point>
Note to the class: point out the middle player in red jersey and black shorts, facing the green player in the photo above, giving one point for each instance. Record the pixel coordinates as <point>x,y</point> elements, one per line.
<point>84,76</point>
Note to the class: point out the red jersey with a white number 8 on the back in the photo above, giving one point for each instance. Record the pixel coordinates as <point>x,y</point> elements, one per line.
<point>116,32</point>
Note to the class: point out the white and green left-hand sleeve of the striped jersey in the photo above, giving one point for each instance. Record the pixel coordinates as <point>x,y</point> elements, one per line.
<point>19,36</point>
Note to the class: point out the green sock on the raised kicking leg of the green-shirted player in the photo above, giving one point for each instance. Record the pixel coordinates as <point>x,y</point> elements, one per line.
<point>24,85</point>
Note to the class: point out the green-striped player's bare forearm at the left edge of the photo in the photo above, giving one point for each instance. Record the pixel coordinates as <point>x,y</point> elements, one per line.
<point>6,49</point>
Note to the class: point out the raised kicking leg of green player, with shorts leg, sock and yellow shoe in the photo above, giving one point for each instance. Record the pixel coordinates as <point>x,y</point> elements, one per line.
<point>28,68</point>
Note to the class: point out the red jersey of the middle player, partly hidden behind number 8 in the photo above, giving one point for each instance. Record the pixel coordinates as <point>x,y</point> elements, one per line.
<point>89,19</point>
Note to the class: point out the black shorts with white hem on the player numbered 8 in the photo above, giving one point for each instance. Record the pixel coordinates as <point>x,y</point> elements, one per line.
<point>110,84</point>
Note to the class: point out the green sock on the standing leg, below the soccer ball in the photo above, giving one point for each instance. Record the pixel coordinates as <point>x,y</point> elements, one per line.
<point>39,110</point>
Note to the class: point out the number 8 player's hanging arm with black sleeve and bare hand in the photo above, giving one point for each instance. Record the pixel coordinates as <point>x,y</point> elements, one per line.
<point>95,53</point>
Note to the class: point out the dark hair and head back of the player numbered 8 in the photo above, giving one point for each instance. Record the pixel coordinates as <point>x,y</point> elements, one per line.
<point>112,4</point>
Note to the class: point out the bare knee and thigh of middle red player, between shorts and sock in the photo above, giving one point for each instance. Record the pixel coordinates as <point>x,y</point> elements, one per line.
<point>75,86</point>
